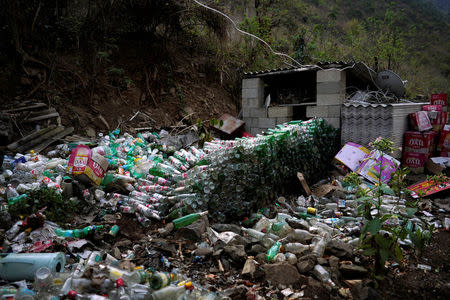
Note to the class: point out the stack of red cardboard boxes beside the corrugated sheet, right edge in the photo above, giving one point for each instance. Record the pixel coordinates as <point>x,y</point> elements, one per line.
<point>430,129</point>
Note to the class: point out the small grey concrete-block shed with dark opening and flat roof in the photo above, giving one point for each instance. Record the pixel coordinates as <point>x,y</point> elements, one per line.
<point>276,96</point>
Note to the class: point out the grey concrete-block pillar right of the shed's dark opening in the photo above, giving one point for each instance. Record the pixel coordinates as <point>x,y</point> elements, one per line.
<point>330,96</point>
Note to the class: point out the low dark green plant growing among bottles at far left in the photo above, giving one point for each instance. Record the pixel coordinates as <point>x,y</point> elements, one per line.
<point>57,209</point>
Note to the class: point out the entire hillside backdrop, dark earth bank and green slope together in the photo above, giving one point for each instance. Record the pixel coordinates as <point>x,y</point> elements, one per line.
<point>174,60</point>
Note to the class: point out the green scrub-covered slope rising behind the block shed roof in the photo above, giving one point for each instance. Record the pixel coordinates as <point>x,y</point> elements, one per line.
<point>409,37</point>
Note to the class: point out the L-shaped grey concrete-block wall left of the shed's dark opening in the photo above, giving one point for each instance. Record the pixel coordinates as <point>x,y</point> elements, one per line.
<point>256,117</point>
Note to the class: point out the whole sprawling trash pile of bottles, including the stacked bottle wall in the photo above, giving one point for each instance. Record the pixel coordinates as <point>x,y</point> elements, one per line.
<point>129,218</point>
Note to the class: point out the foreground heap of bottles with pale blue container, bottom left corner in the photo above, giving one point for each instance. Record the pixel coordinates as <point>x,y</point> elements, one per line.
<point>106,280</point>
